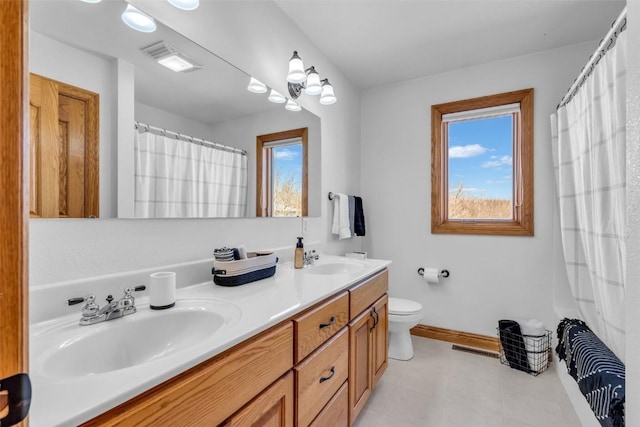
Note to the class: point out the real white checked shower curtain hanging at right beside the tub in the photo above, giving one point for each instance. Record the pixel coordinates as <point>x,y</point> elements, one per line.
<point>588,138</point>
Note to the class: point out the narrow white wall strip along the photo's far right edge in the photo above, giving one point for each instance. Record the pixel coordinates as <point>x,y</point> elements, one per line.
<point>633,216</point>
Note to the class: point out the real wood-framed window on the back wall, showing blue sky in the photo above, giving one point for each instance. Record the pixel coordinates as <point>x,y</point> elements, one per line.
<point>482,165</point>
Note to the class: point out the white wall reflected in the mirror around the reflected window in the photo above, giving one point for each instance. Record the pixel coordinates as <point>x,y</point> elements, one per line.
<point>241,133</point>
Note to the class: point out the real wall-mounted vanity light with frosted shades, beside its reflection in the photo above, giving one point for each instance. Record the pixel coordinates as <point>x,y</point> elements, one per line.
<point>308,79</point>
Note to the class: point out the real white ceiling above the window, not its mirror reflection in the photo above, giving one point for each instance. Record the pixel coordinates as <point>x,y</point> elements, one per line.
<point>377,42</point>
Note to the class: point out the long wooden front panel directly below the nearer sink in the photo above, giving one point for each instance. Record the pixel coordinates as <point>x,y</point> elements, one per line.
<point>209,393</point>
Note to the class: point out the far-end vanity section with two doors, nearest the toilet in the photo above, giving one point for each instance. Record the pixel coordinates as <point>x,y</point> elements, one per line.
<point>368,340</point>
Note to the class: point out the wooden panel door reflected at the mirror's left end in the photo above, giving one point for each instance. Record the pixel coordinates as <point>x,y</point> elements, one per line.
<point>63,148</point>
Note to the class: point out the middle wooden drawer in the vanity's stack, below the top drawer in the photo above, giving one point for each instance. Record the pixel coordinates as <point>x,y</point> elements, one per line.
<point>320,376</point>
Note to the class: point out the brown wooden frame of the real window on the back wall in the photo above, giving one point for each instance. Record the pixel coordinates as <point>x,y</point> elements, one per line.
<point>523,218</point>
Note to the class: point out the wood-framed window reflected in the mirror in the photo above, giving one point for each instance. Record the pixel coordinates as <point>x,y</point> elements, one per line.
<point>281,176</point>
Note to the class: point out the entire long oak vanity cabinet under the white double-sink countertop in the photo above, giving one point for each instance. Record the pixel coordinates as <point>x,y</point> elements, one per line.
<point>315,369</point>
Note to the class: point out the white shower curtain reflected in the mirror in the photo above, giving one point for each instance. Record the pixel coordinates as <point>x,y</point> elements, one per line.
<point>179,179</point>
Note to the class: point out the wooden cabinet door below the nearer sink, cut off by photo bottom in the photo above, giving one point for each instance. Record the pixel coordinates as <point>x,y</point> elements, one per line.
<point>272,408</point>
